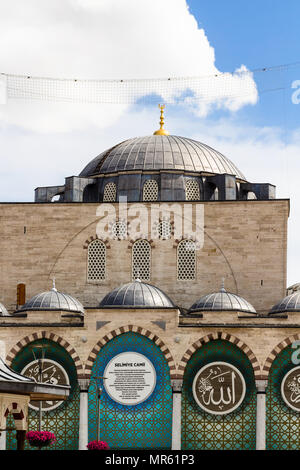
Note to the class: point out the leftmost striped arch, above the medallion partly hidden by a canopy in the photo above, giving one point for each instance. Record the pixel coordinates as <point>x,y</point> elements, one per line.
<point>52,337</point>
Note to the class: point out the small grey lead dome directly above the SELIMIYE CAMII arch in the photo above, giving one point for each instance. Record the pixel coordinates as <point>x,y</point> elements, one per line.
<point>136,294</point>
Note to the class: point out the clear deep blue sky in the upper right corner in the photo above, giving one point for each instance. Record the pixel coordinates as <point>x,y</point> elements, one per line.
<point>258,33</point>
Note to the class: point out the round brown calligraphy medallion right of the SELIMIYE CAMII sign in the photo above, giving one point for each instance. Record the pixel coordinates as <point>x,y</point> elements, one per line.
<point>219,388</point>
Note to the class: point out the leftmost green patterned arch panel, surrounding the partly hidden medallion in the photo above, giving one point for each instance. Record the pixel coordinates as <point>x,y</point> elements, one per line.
<point>62,421</point>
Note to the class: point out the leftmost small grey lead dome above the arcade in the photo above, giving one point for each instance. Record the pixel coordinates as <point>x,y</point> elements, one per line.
<point>53,300</point>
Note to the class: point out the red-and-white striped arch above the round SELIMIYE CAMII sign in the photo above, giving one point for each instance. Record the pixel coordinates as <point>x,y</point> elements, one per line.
<point>125,329</point>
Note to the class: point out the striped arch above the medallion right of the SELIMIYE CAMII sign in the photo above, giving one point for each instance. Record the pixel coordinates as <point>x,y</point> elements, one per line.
<point>226,337</point>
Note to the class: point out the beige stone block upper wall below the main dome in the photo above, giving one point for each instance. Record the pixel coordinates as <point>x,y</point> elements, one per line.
<point>245,242</point>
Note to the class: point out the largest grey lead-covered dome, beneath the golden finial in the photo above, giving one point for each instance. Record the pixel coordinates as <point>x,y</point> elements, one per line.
<point>161,152</point>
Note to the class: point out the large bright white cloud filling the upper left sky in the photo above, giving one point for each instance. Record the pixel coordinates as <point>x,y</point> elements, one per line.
<point>112,39</point>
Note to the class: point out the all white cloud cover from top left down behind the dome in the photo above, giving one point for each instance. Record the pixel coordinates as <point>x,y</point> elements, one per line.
<point>41,143</point>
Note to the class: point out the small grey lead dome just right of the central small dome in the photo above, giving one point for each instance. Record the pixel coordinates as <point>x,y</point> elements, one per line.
<point>222,301</point>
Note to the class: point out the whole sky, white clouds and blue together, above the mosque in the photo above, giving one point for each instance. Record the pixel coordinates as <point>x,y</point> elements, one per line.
<point>42,143</point>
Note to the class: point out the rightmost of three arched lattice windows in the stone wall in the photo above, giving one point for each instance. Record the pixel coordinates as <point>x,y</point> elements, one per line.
<point>186,261</point>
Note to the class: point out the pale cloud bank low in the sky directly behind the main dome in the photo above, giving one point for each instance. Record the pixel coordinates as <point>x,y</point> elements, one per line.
<point>262,154</point>
